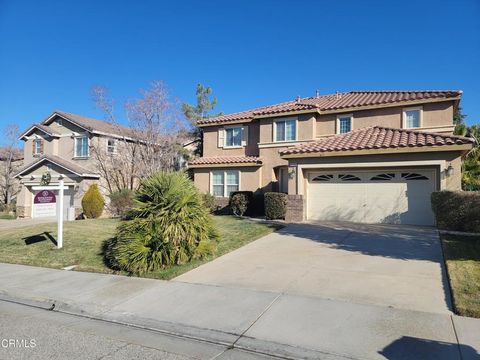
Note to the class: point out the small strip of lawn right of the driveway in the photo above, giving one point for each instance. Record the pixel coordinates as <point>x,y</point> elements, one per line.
<point>462,255</point>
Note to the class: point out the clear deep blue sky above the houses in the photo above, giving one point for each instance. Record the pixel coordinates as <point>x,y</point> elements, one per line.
<point>252,53</point>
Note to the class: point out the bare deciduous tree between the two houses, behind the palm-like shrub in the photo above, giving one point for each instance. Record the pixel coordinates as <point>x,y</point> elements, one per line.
<point>152,140</point>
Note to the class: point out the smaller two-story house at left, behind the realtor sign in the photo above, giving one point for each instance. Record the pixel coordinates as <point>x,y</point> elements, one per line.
<point>61,146</point>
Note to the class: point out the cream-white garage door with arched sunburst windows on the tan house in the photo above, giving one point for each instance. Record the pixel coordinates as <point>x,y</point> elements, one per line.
<point>379,196</point>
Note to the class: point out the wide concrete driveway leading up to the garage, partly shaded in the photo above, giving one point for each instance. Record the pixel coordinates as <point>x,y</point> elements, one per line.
<point>387,265</point>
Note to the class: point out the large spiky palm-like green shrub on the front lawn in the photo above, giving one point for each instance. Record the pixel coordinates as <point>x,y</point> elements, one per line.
<point>168,223</point>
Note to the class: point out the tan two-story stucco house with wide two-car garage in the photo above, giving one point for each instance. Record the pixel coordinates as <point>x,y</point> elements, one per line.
<point>362,156</point>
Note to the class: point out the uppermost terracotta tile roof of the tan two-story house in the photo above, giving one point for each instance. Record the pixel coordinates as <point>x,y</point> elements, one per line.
<point>337,101</point>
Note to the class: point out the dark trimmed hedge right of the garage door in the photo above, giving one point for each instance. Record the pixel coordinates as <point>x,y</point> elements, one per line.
<point>457,210</point>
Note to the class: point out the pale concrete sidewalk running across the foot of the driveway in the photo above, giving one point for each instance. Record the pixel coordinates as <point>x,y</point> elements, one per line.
<point>265,322</point>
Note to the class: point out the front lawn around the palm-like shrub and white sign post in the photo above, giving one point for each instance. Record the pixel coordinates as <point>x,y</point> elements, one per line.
<point>33,245</point>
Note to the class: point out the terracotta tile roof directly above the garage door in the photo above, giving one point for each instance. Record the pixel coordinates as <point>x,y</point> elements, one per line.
<point>376,137</point>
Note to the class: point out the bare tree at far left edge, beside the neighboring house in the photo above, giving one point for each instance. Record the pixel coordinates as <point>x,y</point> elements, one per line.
<point>10,157</point>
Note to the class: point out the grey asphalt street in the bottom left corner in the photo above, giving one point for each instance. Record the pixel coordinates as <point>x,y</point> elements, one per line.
<point>28,332</point>
